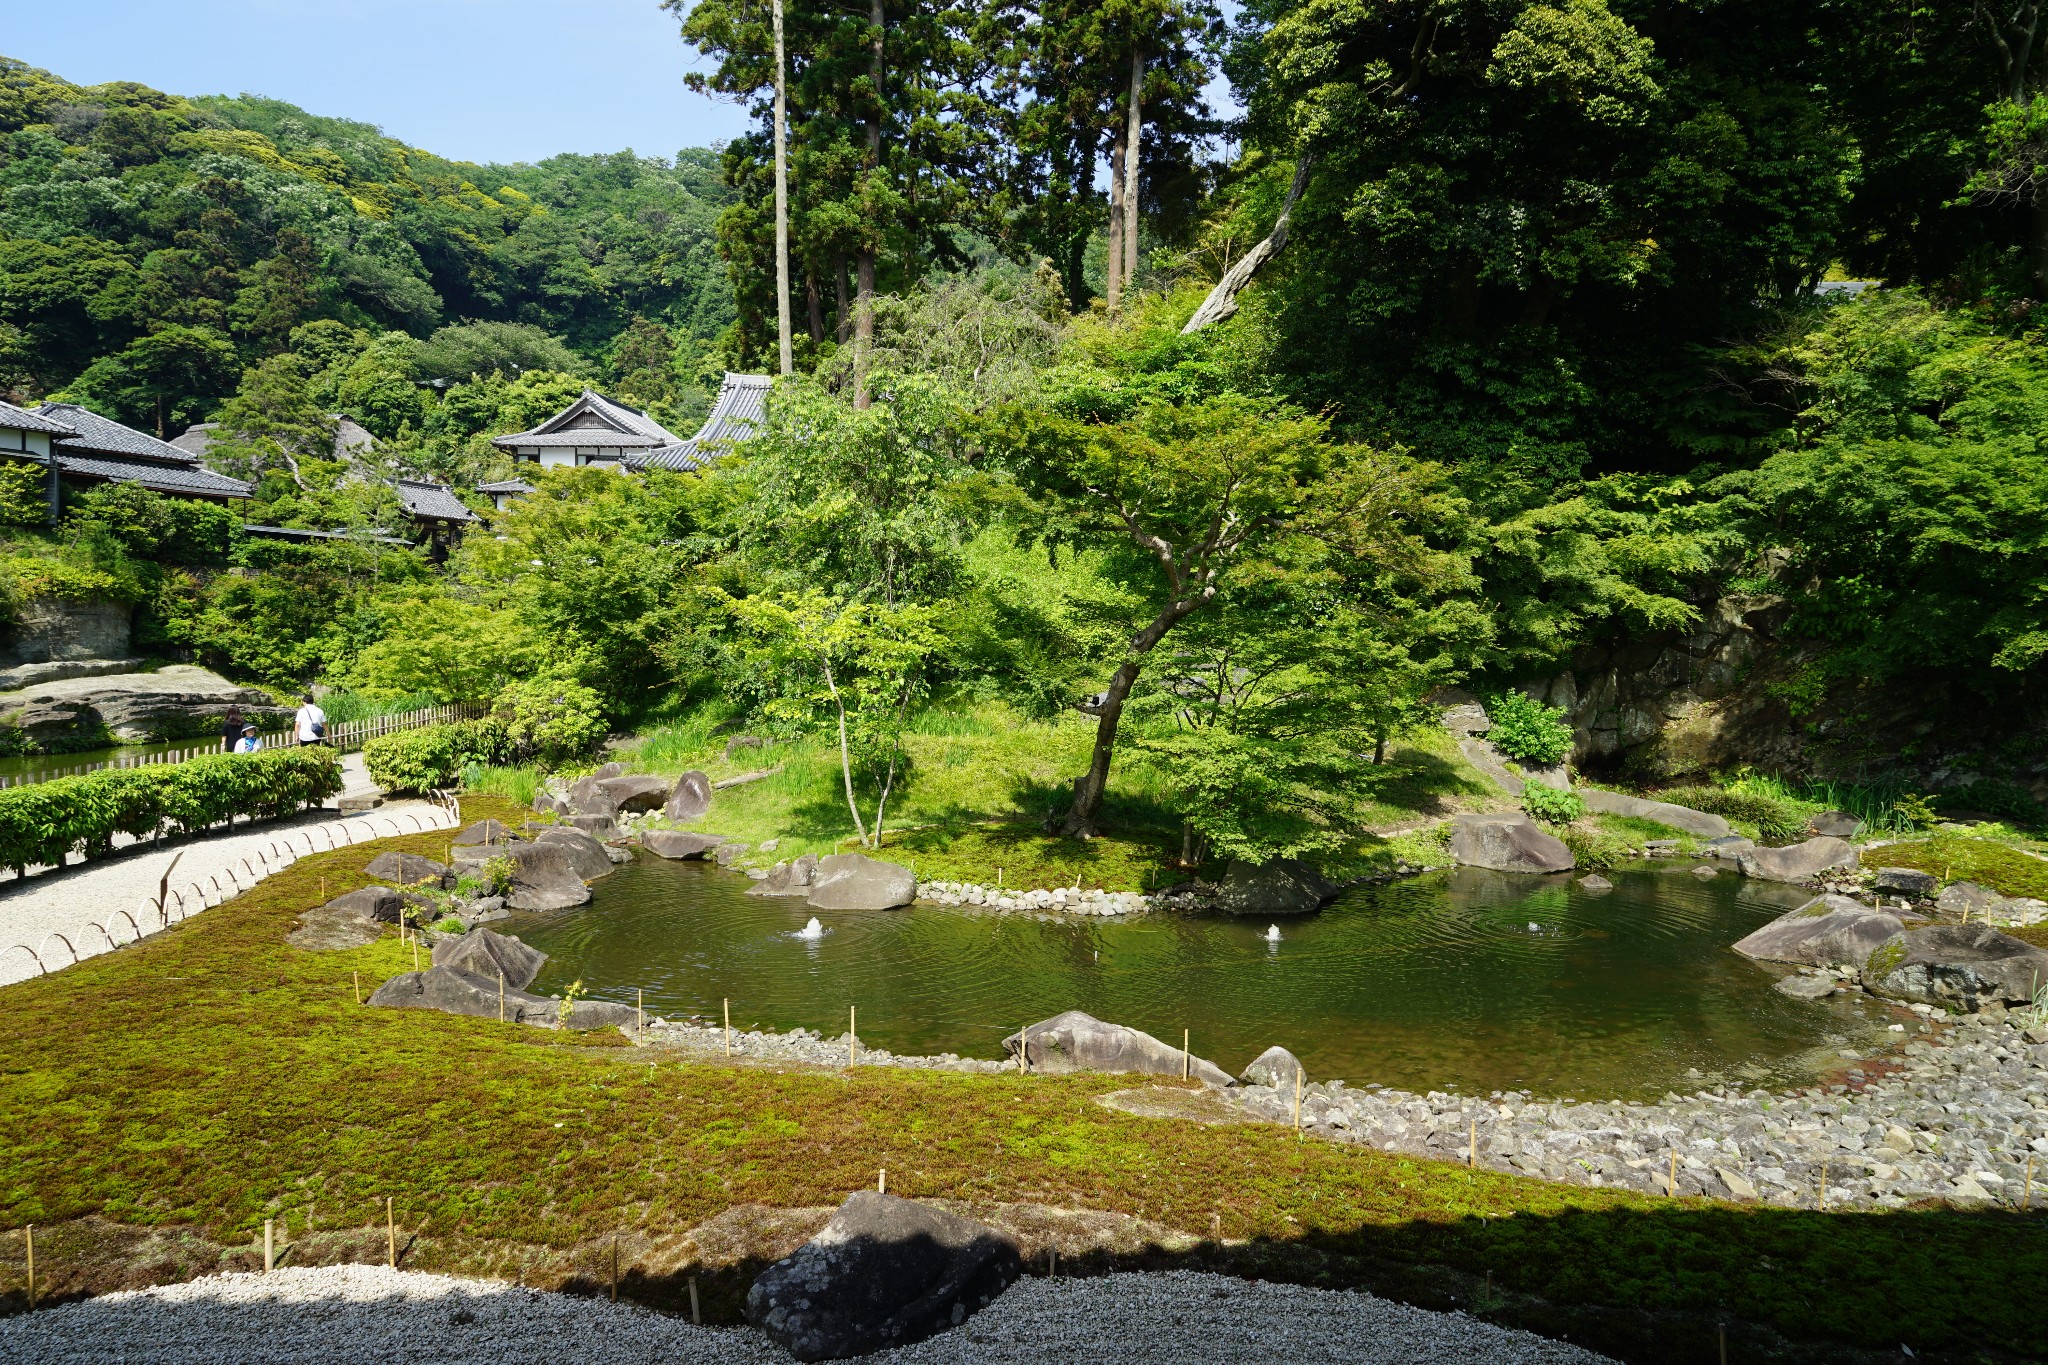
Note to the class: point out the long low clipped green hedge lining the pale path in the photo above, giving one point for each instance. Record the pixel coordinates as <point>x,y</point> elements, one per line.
<point>83,816</point>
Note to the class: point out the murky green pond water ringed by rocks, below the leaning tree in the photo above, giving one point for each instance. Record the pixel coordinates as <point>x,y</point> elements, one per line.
<point>1457,979</point>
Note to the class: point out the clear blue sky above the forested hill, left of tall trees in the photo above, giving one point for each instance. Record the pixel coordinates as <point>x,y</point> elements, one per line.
<point>480,81</point>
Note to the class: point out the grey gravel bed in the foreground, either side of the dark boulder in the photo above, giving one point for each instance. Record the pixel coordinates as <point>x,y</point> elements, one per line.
<point>361,1313</point>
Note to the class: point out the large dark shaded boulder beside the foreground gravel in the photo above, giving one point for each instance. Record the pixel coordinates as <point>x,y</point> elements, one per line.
<point>884,1274</point>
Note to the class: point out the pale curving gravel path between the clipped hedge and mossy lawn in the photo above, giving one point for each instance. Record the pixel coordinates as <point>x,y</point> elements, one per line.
<point>112,891</point>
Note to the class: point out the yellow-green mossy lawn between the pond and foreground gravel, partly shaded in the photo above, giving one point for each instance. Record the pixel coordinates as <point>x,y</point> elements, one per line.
<point>216,1077</point>
